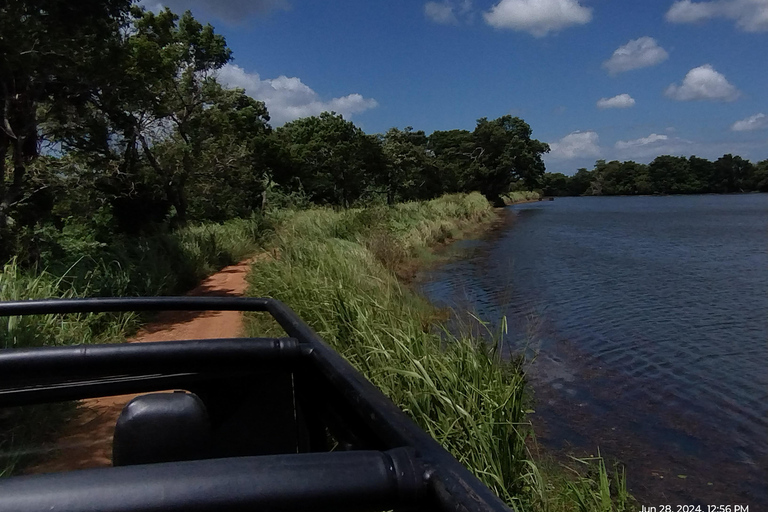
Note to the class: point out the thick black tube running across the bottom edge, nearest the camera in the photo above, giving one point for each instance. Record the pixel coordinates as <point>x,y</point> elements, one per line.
<point>338,482</point>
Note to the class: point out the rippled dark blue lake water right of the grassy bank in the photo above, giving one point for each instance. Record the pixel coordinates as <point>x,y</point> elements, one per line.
<point>649,320</point>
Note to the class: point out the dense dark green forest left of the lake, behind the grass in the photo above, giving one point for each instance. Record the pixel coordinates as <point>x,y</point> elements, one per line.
<point>114,125</point>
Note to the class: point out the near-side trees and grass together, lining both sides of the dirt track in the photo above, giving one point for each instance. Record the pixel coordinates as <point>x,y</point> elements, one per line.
<point>127,169</point>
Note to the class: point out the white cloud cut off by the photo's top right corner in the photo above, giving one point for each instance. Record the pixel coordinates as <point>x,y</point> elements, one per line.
<point>749,15</point>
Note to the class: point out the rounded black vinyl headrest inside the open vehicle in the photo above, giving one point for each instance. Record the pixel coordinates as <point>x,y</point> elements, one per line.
<point>161,427</point>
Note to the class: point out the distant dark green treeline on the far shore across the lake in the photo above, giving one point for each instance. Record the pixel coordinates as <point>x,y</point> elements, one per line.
<point>665,175</point>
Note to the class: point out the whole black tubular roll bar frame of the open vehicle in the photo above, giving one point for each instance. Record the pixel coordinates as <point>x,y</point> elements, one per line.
<point>374,480</point>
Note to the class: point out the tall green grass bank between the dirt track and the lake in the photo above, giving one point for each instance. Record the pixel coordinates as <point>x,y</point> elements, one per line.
<point>335,270</point>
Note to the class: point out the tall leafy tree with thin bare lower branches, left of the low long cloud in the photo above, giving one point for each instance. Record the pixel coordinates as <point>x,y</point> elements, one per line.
<point>159,82</point>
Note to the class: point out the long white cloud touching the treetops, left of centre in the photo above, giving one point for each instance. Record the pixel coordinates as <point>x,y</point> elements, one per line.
<point>289,98</point>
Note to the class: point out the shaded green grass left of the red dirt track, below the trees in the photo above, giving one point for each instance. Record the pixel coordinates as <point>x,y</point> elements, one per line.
<point>161,264</point>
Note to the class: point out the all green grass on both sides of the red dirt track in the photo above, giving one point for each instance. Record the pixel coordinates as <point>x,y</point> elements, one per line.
<point>335,269</point>
